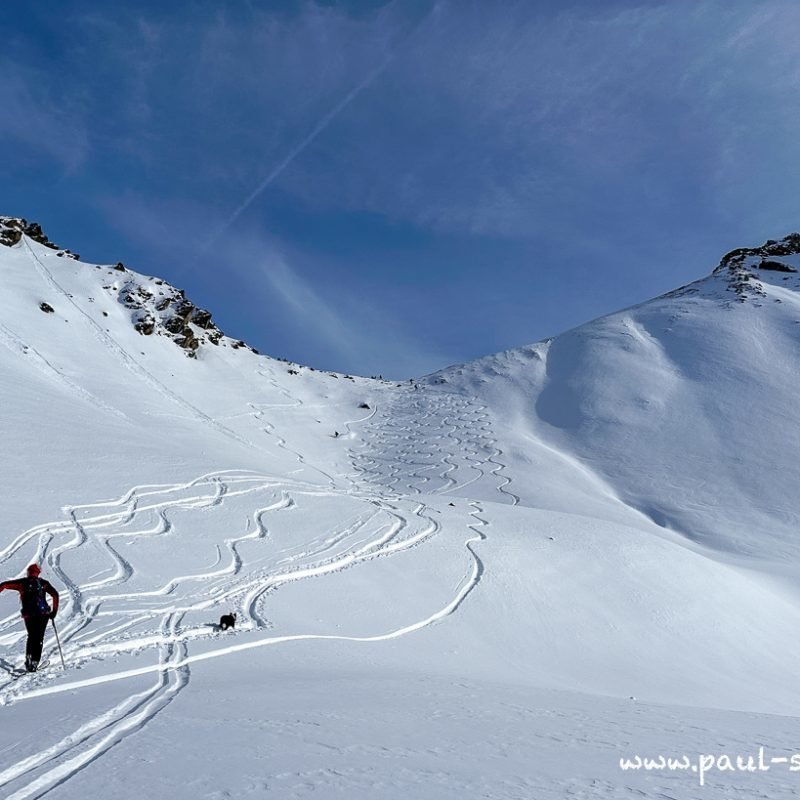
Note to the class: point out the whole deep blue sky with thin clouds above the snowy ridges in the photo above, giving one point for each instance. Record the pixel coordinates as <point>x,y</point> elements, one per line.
<point>391,187</point>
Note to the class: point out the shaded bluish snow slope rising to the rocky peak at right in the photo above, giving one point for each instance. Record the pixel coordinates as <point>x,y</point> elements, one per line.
<point>684,407</point>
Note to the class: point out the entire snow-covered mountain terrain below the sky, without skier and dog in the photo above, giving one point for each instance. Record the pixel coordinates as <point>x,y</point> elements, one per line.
<point>448,588</point>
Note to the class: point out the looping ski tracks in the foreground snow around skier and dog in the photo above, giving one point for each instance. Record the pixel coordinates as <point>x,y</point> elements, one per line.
<point>382,530</point>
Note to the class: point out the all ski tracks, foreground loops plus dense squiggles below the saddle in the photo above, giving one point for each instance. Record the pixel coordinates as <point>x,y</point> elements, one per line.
<point>110,614</point>
